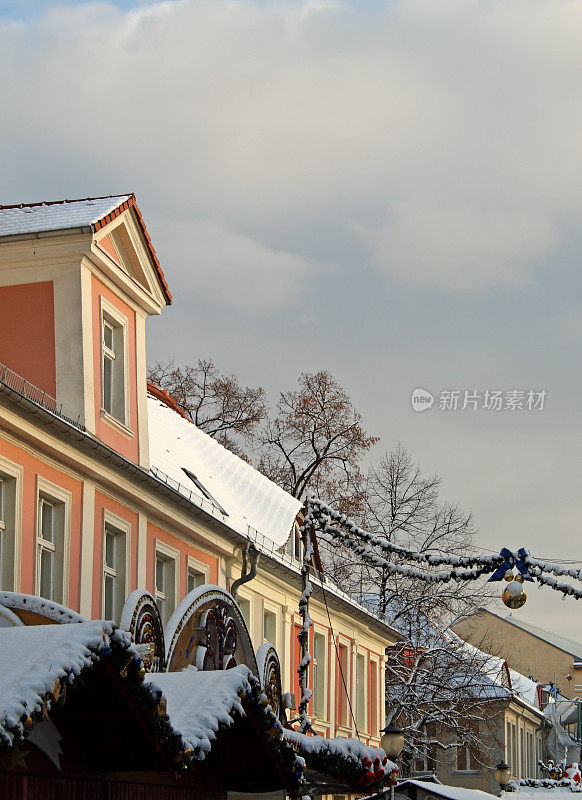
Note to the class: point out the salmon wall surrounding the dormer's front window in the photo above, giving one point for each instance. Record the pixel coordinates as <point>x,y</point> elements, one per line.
<point>128,447</point>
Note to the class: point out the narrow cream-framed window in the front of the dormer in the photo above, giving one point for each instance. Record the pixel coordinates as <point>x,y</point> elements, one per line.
<point>113,366</point>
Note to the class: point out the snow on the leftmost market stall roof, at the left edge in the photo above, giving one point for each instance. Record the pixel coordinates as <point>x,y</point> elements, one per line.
<point>33,658</point>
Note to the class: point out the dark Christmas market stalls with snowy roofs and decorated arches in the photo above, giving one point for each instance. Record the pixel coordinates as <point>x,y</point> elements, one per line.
<point>88,710</point>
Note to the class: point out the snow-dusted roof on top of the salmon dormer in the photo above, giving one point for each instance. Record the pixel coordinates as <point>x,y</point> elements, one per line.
<point>58,215</point>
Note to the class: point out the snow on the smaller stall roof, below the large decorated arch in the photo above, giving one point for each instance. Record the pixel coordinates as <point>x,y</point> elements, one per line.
<point>199,703</point>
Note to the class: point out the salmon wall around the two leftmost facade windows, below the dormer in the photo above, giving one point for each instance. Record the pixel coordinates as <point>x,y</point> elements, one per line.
<point>32,467</point>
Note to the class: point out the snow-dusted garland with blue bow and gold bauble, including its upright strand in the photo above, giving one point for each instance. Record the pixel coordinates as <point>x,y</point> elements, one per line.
<point>320,517</point>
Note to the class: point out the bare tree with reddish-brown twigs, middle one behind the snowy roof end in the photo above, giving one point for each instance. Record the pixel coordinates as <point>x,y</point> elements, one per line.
<point>316,441</point>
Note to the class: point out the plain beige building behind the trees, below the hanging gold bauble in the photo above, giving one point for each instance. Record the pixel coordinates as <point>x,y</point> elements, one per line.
<point>527,648</point>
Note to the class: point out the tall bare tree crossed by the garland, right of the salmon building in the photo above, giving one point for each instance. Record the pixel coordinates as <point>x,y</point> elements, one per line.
<point>438,689</point>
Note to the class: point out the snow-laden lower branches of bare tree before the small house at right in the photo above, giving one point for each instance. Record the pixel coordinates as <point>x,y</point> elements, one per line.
<point>446,696</point>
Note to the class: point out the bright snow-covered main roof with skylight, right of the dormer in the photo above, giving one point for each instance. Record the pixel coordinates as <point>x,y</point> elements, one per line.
<point>218,480</point>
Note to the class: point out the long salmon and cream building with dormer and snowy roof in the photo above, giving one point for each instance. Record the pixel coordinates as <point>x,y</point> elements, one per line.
<point>106,488</point>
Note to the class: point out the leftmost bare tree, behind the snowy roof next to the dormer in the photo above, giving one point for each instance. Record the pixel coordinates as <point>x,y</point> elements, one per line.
<point>218,404</point>
